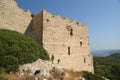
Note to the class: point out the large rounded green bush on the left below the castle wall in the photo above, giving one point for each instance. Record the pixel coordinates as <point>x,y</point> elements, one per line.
<point>16,49</point>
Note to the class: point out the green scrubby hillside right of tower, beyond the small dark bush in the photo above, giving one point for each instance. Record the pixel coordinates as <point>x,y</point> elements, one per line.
<point>107,67</point>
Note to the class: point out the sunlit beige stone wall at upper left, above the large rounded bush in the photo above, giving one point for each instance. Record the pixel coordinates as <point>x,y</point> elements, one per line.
<point>12,17</point>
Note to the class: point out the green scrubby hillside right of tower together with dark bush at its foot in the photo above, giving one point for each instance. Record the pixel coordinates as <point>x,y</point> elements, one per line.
<point>105,67</point>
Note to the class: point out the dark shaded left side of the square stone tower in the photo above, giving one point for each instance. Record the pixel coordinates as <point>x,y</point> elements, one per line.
<point>34,29</point>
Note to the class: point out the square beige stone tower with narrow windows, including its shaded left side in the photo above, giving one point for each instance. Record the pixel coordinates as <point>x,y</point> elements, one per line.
<point>66,40</point>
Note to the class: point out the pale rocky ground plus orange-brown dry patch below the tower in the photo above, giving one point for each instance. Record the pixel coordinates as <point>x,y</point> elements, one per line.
<point>45,70</point>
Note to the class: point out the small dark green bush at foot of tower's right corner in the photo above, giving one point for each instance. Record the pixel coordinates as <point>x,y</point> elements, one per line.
<point>90,76</point>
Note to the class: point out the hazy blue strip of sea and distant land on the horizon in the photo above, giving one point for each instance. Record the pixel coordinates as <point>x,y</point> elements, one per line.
<point>104,53</point>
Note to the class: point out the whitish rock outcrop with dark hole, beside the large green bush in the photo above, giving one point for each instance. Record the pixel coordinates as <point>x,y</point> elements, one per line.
<point>43,70</point>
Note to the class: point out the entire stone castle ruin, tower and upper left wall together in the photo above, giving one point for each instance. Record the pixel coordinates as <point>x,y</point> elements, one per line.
<point>66,40</point>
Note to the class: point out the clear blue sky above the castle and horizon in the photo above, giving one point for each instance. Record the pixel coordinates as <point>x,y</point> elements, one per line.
<point>101,16</point>
